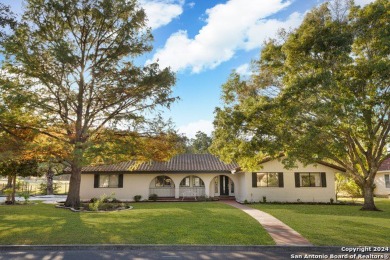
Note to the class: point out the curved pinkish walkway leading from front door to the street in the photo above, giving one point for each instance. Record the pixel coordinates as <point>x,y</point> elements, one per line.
<point>282,234</point>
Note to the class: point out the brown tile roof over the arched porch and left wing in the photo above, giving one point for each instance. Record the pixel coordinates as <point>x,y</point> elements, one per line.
<point>180,163</point>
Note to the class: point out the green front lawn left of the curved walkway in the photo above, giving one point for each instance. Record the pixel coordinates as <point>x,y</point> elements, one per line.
<point>148,223</point>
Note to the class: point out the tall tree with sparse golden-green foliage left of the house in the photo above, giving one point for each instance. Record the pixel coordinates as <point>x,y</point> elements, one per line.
<point>76,61</point>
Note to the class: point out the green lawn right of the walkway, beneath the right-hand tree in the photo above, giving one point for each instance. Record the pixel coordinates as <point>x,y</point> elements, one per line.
<point>336,225</point>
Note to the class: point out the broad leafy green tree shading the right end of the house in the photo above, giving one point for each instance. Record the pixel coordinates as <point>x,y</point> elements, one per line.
<point>320,92</point>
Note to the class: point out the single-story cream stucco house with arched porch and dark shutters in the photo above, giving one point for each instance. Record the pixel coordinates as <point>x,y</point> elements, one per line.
<point>194,175</point>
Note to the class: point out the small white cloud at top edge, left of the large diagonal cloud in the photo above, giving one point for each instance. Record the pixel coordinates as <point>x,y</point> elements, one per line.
<point>162,12</point>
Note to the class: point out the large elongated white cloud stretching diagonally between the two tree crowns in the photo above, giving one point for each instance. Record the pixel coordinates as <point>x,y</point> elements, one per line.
<point>230,27</point>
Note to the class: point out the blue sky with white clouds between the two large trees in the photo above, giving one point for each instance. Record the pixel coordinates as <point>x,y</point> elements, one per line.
<point>203,41</point>
